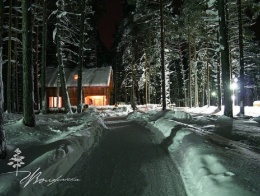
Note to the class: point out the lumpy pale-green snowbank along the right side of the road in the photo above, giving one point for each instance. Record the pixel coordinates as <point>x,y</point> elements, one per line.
<point>208,164</point>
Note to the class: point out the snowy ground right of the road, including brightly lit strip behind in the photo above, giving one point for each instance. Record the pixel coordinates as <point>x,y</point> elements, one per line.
<point>210,160</point>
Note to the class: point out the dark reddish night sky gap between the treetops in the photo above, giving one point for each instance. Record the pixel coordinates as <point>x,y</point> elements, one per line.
<point>107,22</point>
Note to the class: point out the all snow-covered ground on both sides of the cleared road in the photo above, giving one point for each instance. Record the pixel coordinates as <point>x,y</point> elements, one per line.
<point>215,155</point>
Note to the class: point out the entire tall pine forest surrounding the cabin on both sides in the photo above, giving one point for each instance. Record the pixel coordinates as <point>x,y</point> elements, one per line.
<point>184,53</point>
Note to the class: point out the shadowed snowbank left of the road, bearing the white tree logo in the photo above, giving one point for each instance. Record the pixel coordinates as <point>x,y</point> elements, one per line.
<point>50,149</point>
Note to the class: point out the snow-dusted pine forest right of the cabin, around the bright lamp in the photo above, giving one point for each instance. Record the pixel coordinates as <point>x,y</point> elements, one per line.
<point>198,48</point>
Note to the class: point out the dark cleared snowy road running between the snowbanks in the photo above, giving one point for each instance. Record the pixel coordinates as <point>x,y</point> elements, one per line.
<point>126,162</point>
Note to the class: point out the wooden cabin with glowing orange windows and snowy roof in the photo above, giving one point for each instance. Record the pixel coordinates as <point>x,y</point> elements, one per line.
<point>97,84</point>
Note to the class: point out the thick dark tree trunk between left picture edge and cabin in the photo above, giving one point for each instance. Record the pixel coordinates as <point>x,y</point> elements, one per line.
<point>28,95</point>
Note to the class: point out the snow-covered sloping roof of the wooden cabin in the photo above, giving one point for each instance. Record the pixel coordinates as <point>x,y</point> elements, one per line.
<point>90,77</point>
